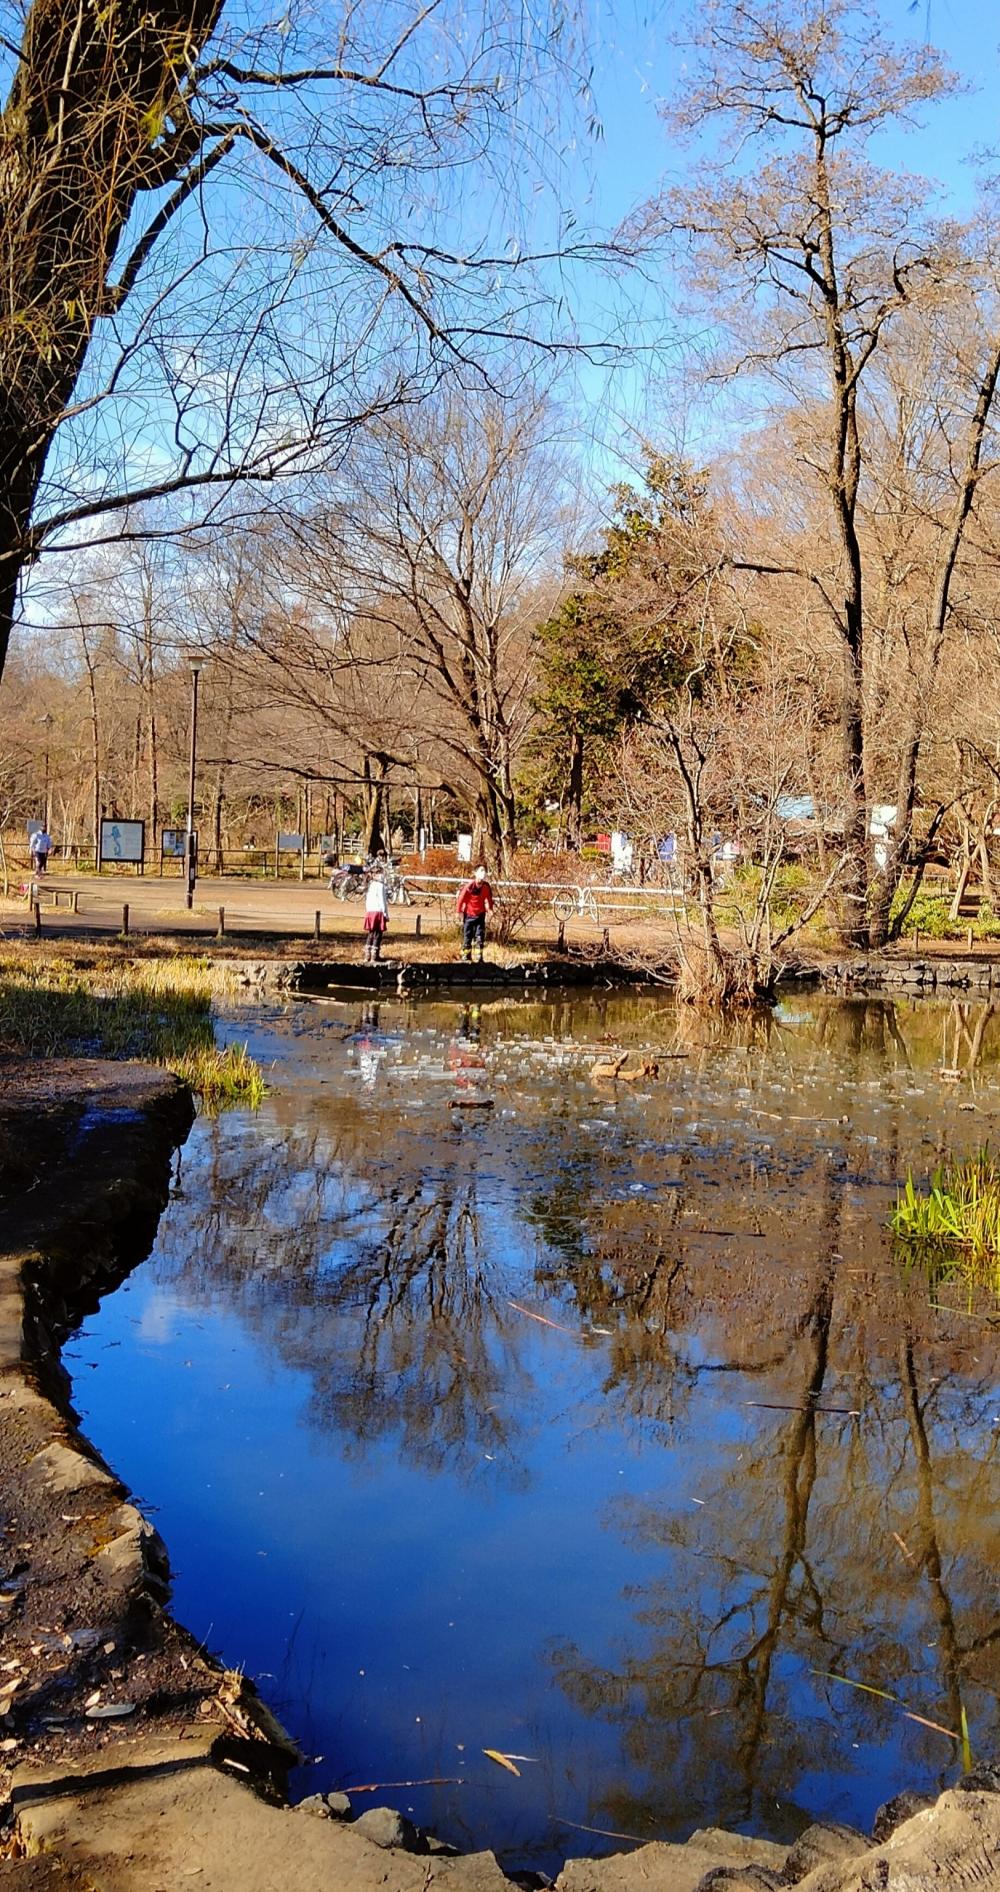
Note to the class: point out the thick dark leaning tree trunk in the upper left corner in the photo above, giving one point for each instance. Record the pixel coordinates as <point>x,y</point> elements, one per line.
<point>82,133</point>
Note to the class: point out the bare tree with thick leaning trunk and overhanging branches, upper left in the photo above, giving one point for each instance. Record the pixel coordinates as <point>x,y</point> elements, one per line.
<point>230,239</point>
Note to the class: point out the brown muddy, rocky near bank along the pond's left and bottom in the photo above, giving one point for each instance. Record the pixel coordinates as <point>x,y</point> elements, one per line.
<point>126,1751</point>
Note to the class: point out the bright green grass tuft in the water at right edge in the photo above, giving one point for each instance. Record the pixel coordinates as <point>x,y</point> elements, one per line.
<point>957,1221</point>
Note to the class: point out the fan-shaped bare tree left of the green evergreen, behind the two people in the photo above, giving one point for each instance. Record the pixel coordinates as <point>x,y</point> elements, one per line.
<point>440,574</point>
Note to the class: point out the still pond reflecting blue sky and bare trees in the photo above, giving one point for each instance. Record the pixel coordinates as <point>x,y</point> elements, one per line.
<point>487,1405</point>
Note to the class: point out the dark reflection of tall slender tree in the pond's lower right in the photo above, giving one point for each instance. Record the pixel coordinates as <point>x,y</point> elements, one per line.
<point>791,1566</point>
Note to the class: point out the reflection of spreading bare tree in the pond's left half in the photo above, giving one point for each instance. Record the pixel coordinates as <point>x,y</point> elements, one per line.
<point>375,1284</point>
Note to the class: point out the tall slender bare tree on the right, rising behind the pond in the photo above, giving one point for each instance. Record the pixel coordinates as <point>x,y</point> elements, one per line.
<point>812,256</point>
